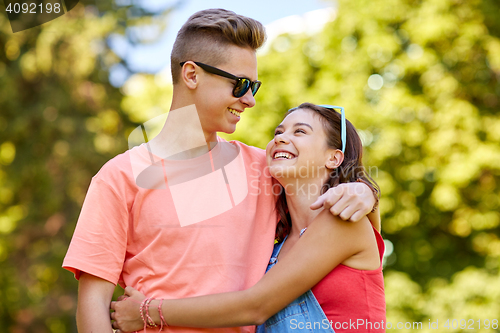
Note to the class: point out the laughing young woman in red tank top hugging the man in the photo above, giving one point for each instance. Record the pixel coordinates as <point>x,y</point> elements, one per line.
<point>331,268</point>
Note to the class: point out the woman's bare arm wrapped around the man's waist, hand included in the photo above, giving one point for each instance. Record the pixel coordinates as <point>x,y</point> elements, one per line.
<point>328,242</point>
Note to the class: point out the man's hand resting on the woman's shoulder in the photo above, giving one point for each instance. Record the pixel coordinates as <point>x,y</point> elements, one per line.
<point>350,201</point>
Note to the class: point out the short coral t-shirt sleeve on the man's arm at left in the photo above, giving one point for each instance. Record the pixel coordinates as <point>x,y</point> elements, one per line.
<point>99,242</point>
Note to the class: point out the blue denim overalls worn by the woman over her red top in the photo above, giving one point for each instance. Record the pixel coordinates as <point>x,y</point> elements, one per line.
<point>302,315</point>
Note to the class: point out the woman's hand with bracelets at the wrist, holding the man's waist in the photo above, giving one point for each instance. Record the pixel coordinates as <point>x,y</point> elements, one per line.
<point>127,316</point>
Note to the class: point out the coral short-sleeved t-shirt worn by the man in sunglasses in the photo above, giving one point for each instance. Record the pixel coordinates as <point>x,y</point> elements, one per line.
<point>178,228</point>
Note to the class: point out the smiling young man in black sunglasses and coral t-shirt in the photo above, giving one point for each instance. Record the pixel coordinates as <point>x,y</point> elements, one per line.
<point>152,220</point>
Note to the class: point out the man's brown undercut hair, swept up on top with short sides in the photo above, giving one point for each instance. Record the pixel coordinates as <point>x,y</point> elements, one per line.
<point>207,34</point>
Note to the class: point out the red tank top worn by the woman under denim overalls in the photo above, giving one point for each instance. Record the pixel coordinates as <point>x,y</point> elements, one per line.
<point>352,299</point>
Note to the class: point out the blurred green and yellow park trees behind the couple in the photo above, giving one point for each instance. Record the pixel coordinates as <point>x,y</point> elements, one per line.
<point>420,79</point>
